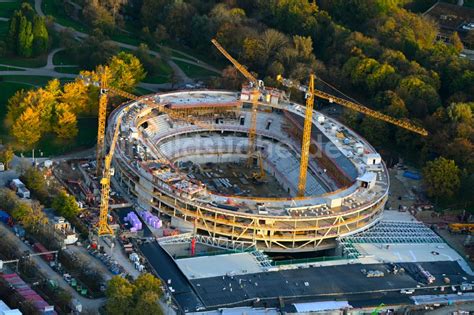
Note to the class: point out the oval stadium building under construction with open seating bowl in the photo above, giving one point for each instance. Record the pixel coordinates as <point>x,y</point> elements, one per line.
<point>194,168</point>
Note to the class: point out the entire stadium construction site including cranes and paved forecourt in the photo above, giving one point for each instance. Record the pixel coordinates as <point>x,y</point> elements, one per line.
<point>246,200</point>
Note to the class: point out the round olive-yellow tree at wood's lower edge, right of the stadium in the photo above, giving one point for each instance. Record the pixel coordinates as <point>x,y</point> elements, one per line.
<point>441,178</point>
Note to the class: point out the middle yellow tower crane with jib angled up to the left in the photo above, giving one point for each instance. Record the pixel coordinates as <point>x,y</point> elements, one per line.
<point>256,87</point>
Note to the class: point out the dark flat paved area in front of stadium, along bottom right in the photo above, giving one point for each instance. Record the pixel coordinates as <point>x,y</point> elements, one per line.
<point>316,283</point>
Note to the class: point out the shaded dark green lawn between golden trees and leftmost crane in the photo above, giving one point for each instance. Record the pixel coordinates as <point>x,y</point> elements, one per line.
<point>86,138</point>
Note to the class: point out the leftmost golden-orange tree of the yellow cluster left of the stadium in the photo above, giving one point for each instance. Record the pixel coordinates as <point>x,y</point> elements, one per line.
<point>27,128</point>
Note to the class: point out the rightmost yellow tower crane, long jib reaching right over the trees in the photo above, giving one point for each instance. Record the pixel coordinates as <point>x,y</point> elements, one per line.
<point>311,92</point>
